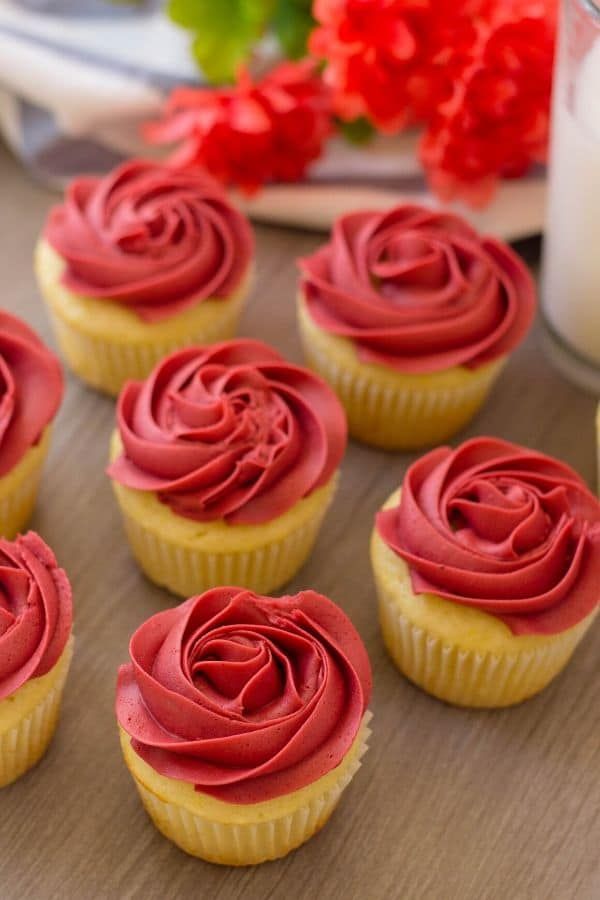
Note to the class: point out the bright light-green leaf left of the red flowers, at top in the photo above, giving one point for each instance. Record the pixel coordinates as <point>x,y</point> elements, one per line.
<point>224,31</point>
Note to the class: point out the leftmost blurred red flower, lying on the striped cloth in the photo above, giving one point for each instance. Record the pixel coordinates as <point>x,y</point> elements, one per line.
<point>251,133</point>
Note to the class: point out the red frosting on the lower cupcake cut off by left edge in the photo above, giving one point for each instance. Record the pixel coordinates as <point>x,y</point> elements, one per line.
<point>36,611</point>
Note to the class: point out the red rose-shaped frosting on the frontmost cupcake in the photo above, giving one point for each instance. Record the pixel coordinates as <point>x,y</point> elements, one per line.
<point>246,697</point>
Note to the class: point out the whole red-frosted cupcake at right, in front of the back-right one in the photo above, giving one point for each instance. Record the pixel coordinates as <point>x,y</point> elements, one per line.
<point>487,566</point>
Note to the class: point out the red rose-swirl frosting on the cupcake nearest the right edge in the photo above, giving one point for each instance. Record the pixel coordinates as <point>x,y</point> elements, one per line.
<point>501,528</point>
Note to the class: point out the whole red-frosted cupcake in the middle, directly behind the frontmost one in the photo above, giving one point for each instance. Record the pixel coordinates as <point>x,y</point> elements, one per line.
<point>223,464</point>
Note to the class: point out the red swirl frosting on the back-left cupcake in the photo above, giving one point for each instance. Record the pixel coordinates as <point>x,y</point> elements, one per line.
<point>155,239</point>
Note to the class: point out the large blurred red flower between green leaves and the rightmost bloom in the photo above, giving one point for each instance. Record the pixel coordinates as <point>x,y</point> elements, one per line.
<point>393,61</point>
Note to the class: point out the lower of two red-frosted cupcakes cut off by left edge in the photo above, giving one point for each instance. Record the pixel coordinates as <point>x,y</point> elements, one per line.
<point>35,651</point>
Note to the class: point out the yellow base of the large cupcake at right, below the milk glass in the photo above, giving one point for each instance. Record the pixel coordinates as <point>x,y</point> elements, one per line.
<point>457,653</point>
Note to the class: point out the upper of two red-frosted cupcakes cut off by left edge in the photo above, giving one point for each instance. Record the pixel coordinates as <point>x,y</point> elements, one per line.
<point>31,387</point>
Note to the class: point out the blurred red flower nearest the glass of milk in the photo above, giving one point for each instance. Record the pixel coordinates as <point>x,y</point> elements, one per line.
<point>497,121</point>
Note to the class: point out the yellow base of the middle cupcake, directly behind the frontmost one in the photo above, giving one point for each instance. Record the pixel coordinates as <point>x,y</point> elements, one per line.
<point>189,557</point>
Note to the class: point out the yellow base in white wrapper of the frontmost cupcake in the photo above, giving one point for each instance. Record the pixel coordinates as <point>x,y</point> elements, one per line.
<point>241,834</point>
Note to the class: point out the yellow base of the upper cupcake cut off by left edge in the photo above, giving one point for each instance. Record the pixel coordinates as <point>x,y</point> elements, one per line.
<point>19,488</point>
